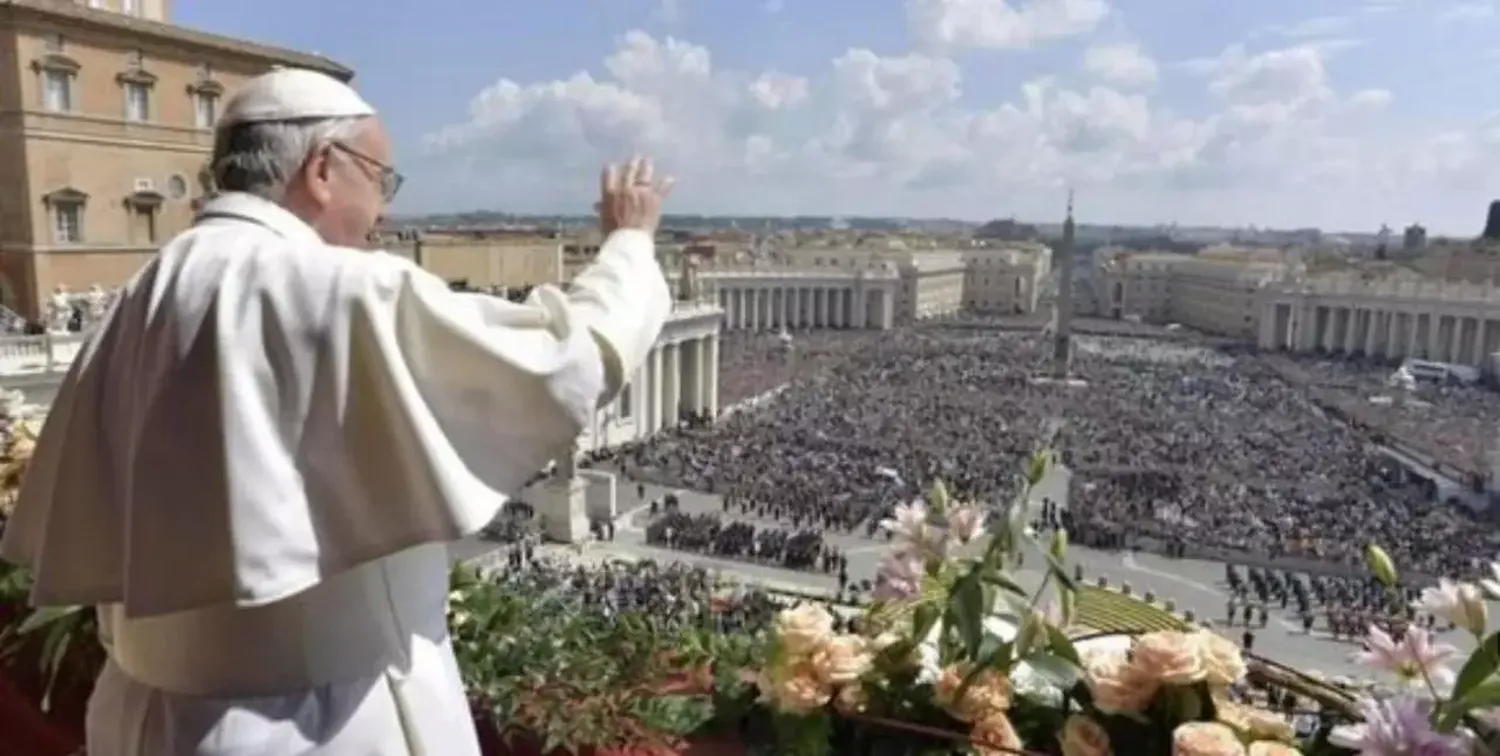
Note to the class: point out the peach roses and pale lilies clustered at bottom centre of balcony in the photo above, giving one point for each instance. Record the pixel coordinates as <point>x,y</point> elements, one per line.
<point>959,653</point>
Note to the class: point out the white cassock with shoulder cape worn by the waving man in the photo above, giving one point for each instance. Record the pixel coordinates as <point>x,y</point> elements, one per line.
<point>256,467</point>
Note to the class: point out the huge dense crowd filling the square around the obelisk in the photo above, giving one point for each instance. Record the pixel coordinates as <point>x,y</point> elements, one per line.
<point>1171,446</point>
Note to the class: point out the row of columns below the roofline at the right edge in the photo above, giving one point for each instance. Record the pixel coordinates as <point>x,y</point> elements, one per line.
<point>1439,332</point>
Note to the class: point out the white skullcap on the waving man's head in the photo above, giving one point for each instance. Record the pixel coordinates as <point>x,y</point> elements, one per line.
<point>293,95</point>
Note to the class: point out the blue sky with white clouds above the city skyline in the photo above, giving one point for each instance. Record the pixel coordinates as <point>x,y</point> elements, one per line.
<point>1342,115</point>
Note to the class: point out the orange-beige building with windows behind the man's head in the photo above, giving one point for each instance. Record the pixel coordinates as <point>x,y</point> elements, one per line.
<point>106,124</point>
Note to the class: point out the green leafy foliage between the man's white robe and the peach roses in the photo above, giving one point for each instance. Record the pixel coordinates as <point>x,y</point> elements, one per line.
<point>548,665</point>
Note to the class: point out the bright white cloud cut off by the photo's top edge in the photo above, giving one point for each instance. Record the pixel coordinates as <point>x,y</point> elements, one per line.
<point>1001,25</point>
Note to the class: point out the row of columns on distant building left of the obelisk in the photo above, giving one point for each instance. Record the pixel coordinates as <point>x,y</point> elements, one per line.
<point>770,307</point>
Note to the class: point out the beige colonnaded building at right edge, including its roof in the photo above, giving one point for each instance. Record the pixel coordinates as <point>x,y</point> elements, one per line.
<point>1394,317</point>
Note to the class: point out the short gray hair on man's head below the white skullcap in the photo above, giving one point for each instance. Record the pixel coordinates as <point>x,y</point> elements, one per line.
<point>262,158</point>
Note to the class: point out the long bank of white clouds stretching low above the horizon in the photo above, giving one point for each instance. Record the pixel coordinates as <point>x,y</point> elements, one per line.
<point>1276,140</point>
